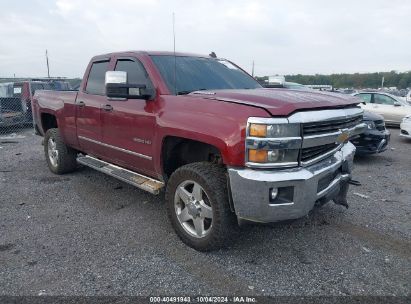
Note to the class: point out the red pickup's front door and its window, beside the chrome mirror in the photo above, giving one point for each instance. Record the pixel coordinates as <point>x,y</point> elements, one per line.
<point>128,124</point>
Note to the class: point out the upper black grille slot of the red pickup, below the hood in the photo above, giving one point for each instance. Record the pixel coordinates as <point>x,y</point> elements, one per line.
<point>314,128</point>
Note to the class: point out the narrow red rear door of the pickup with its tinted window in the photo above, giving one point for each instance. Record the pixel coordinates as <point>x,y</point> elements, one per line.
<point>88,106</point>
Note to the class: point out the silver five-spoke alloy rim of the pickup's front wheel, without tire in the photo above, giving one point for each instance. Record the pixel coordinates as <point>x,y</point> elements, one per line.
<point>193,209</point>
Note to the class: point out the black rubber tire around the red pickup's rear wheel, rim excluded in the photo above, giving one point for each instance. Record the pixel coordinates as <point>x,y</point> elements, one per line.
<point>66,159</point>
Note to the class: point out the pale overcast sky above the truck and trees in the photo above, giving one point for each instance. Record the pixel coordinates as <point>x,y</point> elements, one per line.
<point>282,37</point>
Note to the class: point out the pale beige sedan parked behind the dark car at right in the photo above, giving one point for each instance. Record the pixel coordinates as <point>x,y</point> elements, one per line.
<point>392,108</point>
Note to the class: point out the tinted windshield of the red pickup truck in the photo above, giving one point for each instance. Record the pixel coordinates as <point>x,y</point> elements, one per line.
<point>199,73</point>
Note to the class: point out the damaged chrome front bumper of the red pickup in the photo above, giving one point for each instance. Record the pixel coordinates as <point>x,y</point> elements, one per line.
<point>298,188</point>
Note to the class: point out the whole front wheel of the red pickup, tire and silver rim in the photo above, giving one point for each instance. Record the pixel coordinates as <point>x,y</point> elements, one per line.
<point>197,205</point>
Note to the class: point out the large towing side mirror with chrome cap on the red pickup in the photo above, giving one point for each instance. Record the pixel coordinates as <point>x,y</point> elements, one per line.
<point>117,87</point>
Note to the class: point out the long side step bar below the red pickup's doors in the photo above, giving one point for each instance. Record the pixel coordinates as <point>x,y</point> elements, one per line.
<point>140,181</point>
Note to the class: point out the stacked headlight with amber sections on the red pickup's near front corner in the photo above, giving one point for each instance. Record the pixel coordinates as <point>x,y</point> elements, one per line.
<point>272,145</point>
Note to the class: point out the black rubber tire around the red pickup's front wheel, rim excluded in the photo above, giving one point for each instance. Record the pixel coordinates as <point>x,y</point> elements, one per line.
<point>212,178</point>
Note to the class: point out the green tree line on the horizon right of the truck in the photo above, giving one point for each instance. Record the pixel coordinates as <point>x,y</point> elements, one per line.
<point>358,80</point>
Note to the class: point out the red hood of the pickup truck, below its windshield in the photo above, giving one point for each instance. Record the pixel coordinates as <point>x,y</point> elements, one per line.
<point>280,102</point>
